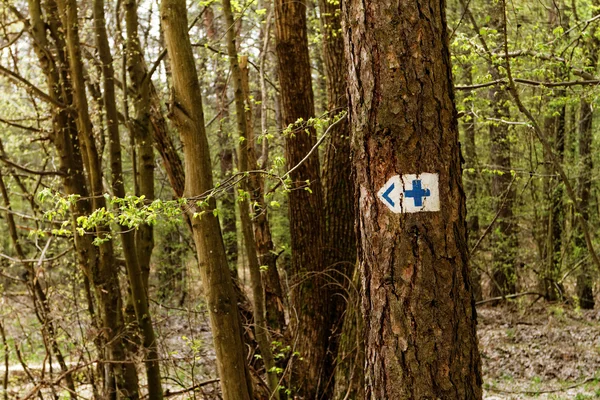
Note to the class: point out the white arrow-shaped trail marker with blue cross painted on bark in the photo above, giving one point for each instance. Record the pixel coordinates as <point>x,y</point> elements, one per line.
<point>411,193</point>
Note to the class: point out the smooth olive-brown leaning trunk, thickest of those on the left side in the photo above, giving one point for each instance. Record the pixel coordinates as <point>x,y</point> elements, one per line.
<point>187,115</point>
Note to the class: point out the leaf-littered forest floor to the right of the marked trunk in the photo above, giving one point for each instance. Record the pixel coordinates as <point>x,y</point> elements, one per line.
<point>539,351</point>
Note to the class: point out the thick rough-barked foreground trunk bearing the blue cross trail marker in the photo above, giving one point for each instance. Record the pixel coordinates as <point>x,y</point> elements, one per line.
<point>417,299</point>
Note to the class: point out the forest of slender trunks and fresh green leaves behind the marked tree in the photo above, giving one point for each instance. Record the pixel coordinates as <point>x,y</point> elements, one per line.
<point>112,190</point>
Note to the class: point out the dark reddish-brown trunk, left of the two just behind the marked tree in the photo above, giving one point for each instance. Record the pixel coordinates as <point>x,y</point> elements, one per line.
<point>309,299</point>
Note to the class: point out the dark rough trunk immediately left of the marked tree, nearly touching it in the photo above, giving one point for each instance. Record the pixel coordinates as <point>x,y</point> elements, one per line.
<point>340,239</point>
